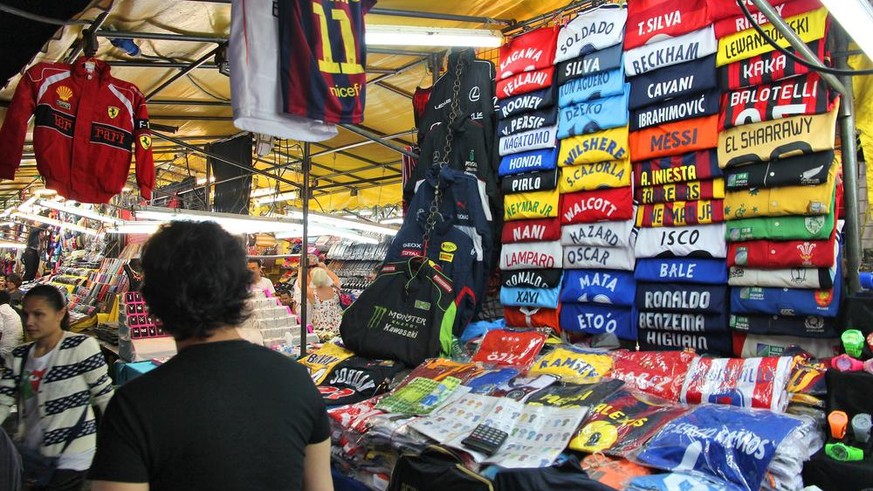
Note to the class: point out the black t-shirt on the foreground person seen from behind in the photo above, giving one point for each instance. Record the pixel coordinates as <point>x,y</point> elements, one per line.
<point>222,415</point>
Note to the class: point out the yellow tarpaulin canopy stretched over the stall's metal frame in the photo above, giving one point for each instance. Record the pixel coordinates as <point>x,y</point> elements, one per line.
<point>192,105</point>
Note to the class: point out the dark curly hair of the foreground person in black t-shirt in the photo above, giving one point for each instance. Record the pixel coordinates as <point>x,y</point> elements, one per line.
<point>195,279</point>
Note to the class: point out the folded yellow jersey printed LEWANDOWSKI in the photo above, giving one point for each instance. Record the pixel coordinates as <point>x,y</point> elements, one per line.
<point>742,45</point>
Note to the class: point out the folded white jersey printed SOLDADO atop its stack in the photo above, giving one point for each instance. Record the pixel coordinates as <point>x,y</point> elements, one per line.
<point>590,31</point>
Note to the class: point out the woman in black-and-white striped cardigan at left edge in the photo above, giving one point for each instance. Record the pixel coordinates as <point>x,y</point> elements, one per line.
<point>53,381</point>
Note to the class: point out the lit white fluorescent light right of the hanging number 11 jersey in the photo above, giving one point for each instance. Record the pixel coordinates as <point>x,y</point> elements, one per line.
<point>388,35</point>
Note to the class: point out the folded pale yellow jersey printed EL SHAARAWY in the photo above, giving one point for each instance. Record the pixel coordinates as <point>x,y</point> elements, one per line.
<point>760,142</point>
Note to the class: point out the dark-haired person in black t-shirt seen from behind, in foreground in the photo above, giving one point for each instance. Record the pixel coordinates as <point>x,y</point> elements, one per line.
<point>223,414</point>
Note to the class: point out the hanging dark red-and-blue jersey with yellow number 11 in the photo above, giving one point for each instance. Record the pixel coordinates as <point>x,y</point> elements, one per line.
<point>322,58</point>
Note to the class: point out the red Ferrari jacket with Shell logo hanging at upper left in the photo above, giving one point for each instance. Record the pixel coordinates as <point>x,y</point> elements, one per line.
<point>85,124</point>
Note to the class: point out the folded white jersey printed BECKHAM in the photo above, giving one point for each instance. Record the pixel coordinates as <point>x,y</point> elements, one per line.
<point>674,51</point>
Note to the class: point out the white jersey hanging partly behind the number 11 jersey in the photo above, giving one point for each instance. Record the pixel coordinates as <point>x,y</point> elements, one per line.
<point>253,52</point>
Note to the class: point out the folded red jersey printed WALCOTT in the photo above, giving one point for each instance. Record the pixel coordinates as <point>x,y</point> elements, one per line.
<point>594,206</point>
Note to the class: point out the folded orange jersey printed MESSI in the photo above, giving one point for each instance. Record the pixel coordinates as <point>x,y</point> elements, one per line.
<point>674,138</point>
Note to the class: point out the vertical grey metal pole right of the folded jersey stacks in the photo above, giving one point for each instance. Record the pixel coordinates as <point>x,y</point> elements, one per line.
<point>852,230</point>
